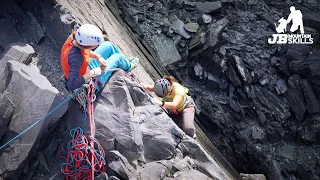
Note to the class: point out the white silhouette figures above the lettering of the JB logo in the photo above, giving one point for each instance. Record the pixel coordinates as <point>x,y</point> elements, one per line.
<point>296,17</point>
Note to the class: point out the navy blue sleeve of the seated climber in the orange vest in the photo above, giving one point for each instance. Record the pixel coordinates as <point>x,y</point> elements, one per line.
<point>74,80</point>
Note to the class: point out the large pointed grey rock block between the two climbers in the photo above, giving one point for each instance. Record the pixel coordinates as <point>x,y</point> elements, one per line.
<point>141,131</point>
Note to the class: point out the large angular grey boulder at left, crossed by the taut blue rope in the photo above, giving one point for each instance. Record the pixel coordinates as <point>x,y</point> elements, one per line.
<point>23,85</point>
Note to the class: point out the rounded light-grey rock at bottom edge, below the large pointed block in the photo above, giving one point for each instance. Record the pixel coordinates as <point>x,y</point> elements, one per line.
<point>153,170</point>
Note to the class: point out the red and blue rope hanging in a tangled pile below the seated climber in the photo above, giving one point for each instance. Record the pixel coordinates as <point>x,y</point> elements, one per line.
<point>84,156</point>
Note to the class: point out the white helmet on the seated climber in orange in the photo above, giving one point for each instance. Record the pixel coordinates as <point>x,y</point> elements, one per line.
<point>89,35</point>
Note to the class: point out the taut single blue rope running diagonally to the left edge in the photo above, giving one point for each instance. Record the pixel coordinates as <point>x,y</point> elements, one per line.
<point>33,125</point>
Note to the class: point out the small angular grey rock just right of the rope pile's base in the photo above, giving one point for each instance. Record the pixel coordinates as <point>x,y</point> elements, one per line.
<point>121,166</point>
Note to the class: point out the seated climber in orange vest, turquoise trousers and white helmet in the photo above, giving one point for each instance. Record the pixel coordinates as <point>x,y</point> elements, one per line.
<point>79,62</point>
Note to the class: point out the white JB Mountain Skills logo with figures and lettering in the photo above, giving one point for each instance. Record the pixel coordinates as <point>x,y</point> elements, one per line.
<point>296,17</point>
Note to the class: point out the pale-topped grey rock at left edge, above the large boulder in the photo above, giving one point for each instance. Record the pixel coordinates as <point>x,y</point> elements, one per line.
<point>20,52</point>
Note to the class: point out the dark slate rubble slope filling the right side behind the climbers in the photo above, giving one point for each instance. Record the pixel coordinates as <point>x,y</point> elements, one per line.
<point>252,96</point>
